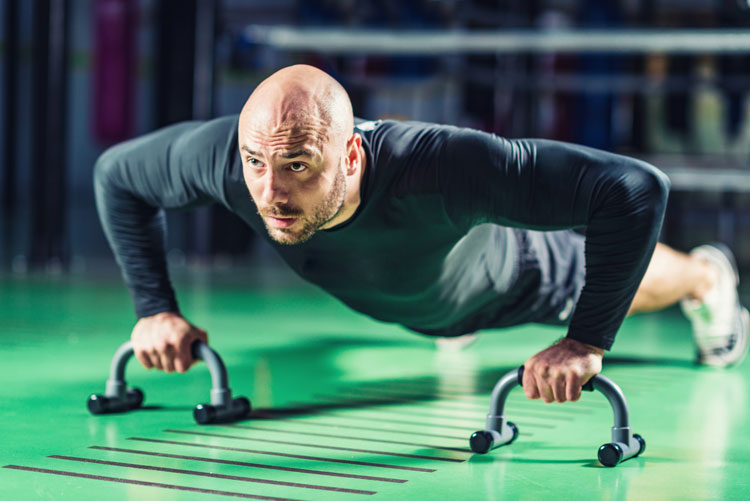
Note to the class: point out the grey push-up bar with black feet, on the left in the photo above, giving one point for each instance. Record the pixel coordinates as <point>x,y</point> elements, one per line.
<point>222,409</point>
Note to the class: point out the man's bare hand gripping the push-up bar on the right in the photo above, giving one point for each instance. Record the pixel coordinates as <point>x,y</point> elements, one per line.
<point>557,373</point>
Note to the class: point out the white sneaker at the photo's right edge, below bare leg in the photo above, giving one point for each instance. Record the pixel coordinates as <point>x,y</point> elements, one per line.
<point>721,325</point>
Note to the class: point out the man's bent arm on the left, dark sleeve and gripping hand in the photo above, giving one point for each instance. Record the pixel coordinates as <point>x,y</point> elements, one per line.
<point>174,168</point>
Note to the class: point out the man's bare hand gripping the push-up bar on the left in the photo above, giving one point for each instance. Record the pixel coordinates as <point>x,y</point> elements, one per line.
<point>163,341</point>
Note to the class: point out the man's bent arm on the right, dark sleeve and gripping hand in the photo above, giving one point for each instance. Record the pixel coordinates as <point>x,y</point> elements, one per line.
<point>550,185</point>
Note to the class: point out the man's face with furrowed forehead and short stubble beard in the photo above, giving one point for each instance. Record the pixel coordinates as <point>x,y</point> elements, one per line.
<point>295,175</point>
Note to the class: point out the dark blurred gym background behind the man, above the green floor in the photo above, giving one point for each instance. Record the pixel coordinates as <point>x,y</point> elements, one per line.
<point>80,75</point>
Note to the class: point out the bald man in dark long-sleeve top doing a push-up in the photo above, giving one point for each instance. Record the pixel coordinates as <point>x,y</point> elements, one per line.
<point>441,229</point>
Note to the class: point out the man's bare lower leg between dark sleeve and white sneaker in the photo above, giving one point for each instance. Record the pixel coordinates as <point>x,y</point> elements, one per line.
<point>671,276</point>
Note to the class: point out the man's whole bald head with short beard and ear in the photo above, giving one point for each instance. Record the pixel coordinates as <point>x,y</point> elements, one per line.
<point>301,159</point>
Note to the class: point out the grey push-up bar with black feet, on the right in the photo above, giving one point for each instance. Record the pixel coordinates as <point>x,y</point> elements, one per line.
<point>499,431</point>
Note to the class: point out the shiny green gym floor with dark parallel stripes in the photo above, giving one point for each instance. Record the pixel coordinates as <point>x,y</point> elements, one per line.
<point>346,408</point>
